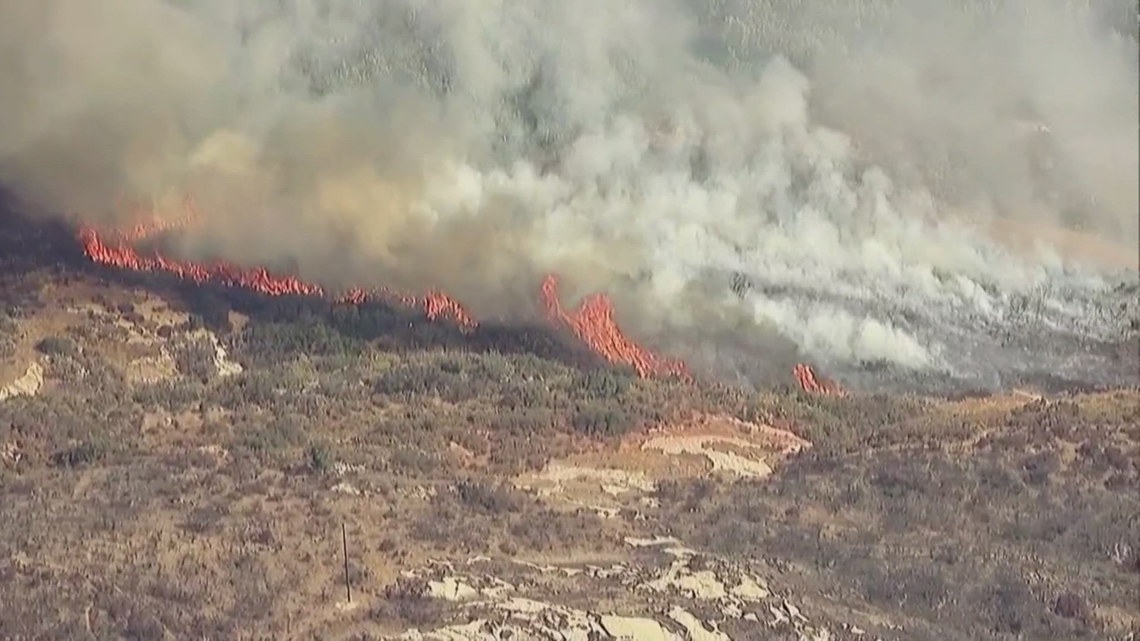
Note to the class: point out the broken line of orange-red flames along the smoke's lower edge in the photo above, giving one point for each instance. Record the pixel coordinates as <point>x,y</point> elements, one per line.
<point>593,322</point>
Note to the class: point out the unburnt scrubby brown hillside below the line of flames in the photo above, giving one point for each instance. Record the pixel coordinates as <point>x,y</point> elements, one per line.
<point>178,463</point>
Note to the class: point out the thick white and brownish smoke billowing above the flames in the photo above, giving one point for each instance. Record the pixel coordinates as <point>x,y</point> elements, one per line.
<point>910,185</point>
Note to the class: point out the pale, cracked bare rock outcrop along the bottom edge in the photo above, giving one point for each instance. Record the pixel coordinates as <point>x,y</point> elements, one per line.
<point>669,594</point>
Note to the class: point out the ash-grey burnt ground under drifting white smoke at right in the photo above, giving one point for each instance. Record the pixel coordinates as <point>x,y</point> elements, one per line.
<point>1074,332</point>
